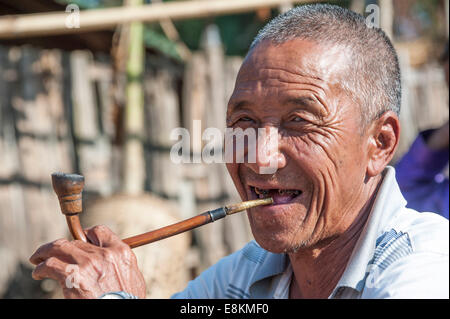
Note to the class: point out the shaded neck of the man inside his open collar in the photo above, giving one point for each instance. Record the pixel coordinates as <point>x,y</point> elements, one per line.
<point>317,269</point>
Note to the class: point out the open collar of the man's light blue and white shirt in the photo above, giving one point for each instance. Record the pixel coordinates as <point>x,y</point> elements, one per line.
<point>387,201</point>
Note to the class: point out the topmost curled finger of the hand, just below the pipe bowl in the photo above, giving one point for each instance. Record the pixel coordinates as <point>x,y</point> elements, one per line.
<point>62,249</point>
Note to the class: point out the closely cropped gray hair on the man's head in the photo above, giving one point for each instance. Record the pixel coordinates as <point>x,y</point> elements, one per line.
<point>373,78</point>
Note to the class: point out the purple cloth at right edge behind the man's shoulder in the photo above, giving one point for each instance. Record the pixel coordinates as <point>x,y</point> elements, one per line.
<point>419,174</point>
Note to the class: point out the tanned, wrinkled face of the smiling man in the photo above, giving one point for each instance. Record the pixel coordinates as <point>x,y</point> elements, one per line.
<point>321,161</point>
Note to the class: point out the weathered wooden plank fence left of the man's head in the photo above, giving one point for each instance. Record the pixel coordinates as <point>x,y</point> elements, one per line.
<point>58,112</point>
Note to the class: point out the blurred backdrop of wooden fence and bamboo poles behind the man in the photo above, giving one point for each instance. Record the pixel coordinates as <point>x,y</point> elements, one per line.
<point>102,102</point>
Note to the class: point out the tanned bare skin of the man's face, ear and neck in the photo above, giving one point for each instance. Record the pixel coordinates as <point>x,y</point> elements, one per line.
<point>323,151</point>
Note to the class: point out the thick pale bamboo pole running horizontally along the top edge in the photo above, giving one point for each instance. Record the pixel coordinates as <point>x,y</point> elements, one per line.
<point>45,24</point>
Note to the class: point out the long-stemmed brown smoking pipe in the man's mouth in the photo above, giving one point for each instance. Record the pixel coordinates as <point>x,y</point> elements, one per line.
<point>69,187</point>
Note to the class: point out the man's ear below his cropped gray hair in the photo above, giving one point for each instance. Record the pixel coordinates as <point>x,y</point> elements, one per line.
<point>384,134</point>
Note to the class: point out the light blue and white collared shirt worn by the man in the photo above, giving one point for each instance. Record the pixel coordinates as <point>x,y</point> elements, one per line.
<point>401,253</point>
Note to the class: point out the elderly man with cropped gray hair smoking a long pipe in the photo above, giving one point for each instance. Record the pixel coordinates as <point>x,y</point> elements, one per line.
<point>339,227</point>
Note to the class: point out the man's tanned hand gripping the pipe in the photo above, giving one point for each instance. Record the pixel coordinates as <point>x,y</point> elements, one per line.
<point>87,270</point>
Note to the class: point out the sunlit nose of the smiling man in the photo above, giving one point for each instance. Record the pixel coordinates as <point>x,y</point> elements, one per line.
<point>268,156</point>
